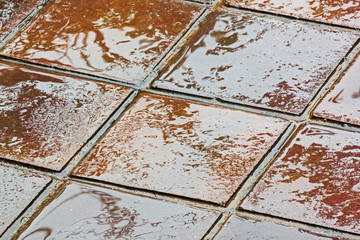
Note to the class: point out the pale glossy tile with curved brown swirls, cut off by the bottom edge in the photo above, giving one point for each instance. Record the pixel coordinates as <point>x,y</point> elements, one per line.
<point>88,212</point>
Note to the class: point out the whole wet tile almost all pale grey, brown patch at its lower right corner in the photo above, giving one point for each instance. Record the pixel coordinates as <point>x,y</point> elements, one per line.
<point>261,61</point>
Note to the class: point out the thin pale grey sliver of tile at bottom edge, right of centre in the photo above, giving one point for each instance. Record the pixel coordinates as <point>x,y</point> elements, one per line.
<point>244,228</point>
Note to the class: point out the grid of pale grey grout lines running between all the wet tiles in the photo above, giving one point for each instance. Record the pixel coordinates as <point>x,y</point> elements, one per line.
<point>248,184</point>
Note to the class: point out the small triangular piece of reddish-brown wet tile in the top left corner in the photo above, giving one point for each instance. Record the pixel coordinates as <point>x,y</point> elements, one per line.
<point>12,12</point>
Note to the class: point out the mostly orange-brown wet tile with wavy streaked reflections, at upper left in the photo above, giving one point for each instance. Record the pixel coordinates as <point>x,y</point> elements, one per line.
<point>120,39</point>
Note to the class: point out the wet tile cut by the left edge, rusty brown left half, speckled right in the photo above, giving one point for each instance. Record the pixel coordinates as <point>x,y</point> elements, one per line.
<point>46,118</point>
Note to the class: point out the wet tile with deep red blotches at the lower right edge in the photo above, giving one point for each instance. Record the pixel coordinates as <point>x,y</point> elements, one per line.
<point>316,180</point>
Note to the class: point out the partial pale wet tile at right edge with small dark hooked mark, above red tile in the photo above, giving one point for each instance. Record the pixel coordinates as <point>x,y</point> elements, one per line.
<point>343,102</point>
